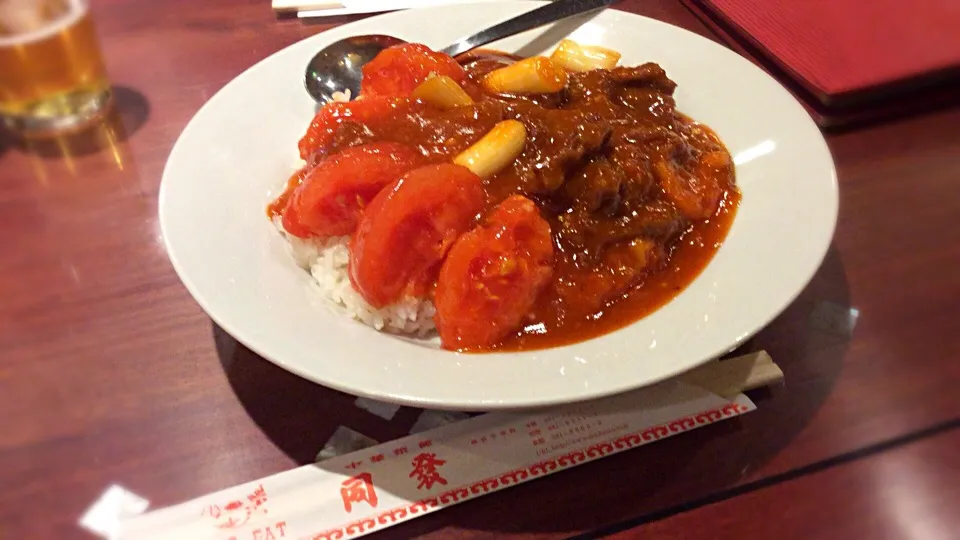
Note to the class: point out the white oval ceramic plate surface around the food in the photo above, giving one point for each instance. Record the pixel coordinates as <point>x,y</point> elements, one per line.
<point>242,145</point>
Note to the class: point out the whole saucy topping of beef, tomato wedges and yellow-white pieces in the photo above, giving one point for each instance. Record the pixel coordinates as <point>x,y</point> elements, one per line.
<point>600,202</point>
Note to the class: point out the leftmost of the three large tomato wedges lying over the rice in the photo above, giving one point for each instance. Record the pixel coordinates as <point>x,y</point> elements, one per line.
<point>332,197</point>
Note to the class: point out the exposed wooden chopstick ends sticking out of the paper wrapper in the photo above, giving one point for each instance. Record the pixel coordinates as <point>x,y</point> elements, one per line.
<point>729,377</point>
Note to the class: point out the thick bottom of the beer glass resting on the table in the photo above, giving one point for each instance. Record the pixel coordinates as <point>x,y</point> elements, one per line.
<point>63,113</point>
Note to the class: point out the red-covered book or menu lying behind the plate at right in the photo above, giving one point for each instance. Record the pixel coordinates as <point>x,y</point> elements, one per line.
<point>848,57</point>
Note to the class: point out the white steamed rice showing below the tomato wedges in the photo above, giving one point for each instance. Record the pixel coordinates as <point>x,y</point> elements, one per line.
<point>327,260</point>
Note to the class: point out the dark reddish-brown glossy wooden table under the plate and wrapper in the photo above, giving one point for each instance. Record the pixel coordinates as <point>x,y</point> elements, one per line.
<point>110,373</point>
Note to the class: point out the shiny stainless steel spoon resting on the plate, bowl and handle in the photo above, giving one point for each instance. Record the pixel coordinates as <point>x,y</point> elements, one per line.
<point>336,68</point>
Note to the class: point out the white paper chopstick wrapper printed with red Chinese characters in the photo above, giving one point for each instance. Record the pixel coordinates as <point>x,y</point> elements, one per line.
<point>371,489</point>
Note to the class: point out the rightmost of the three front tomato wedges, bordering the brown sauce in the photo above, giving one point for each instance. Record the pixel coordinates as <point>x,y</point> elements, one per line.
<point>493,275</point>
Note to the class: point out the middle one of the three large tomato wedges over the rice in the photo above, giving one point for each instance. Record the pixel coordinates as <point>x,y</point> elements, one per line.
<point>408,228</point>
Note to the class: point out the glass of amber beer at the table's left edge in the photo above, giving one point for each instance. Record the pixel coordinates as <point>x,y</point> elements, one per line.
<point>51,73</point>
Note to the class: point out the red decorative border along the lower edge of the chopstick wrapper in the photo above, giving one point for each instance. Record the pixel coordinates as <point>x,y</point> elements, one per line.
<point>549,466</point>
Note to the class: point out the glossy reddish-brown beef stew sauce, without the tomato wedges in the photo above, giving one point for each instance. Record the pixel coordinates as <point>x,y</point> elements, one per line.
<point>638,196</point>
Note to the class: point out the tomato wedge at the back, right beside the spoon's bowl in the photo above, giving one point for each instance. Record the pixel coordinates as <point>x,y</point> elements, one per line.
<point>398,70</point>
